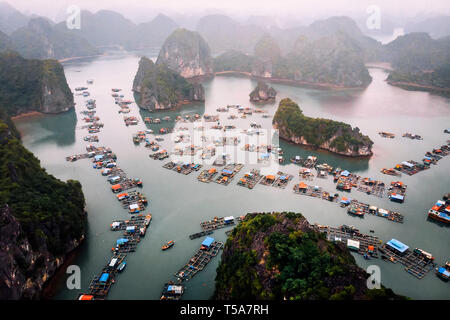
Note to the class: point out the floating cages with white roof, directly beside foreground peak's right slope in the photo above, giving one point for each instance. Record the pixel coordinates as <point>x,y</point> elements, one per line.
<point>364,244</point>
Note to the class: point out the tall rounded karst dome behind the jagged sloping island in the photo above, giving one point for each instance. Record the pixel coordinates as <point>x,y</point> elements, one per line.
<point>186,53</point>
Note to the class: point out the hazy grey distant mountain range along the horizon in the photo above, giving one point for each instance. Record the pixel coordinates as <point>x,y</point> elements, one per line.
<point>329,51</point>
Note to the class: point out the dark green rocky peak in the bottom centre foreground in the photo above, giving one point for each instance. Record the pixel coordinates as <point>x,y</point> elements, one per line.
<point>278,256</point>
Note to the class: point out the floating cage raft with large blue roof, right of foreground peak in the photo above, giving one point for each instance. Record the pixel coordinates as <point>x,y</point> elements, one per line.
<point>415,262</point>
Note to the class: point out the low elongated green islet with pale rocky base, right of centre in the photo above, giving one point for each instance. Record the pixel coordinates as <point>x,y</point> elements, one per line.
<point>334,136</point>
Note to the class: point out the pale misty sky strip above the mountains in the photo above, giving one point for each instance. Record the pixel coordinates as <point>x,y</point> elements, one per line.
<point>146,9</point>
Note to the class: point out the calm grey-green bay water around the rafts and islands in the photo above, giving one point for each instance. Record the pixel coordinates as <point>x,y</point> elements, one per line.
<point>179,203</point>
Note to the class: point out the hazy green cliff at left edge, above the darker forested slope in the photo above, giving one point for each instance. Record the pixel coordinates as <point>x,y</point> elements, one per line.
<point>33,85</point>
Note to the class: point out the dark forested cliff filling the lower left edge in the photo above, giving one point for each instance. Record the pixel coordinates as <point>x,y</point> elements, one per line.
<point>42,219</point>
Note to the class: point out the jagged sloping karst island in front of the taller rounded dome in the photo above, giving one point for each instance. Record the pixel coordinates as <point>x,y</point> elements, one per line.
<point>158,87</point>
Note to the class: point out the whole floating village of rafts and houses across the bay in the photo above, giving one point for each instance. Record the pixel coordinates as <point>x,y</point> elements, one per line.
<point>188,157</point>
